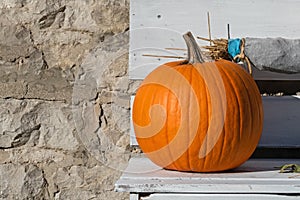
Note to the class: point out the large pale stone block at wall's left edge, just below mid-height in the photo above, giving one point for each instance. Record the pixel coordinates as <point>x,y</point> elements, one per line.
<point>35,123</point>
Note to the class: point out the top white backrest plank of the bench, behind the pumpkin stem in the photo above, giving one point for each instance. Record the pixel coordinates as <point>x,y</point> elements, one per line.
<point>155,25</point>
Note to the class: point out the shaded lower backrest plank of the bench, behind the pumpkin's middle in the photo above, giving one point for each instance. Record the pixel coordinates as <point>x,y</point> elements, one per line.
<point>281,122</point>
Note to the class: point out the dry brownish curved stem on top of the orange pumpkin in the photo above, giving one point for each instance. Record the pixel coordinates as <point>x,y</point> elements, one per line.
<point>194,52</point>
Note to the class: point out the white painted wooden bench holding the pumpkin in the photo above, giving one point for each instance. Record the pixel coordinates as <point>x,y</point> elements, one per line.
<point>156,25</point>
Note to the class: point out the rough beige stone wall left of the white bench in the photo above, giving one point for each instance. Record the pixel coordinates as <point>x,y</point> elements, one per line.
<point>64,98</point>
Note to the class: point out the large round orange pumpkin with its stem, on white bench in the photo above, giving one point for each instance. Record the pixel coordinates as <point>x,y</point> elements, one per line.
<point>198,116</point>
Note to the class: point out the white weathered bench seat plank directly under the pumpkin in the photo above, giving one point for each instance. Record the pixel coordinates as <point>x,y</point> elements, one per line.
<point>255,176</point>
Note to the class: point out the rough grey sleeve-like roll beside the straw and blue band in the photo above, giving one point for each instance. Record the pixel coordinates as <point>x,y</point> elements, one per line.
<point>274,54</point>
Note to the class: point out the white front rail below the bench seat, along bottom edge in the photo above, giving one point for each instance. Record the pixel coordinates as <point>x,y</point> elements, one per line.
<point>218,197</point>
